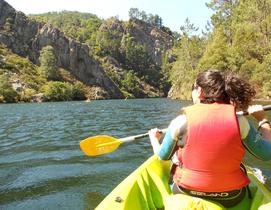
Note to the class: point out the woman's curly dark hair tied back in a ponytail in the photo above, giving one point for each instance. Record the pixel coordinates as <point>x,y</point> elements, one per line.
<point>227,88</point>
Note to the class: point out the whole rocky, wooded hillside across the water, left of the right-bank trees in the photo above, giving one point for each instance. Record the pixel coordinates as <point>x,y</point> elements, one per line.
<point>93,50</point>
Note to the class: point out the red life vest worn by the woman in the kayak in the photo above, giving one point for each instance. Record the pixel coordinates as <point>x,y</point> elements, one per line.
<point>213,150</point>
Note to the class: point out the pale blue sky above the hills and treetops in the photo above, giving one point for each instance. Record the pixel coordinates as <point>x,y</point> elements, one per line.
<point>173,12</point>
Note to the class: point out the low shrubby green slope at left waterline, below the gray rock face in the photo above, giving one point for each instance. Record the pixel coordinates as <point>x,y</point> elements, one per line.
<point>22,81</point>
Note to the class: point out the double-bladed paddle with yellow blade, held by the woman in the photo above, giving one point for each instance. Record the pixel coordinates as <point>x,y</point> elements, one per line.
<point>99,145</point>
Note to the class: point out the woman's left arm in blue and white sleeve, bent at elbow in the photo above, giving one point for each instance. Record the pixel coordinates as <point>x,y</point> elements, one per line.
<point>174,132</point>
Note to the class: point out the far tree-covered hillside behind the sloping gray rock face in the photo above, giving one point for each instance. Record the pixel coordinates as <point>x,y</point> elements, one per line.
<point>126,50</point>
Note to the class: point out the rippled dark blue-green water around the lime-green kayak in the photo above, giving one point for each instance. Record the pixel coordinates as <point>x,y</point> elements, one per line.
<point>42,167</point>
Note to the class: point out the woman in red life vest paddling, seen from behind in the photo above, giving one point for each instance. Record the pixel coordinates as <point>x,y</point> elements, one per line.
<point>207,143</point>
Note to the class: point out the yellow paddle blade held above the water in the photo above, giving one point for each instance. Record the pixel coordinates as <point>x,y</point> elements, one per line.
<point>98,145</point>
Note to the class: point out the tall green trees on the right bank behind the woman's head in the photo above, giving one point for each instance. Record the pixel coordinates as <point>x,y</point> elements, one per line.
<point>239,41</point>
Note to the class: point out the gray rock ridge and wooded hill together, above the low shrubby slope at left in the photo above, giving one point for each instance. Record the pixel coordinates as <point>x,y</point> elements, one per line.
<point>112,58</point>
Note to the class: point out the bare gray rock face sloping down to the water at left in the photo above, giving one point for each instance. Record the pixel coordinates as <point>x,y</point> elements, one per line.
<point>27,37</point>
